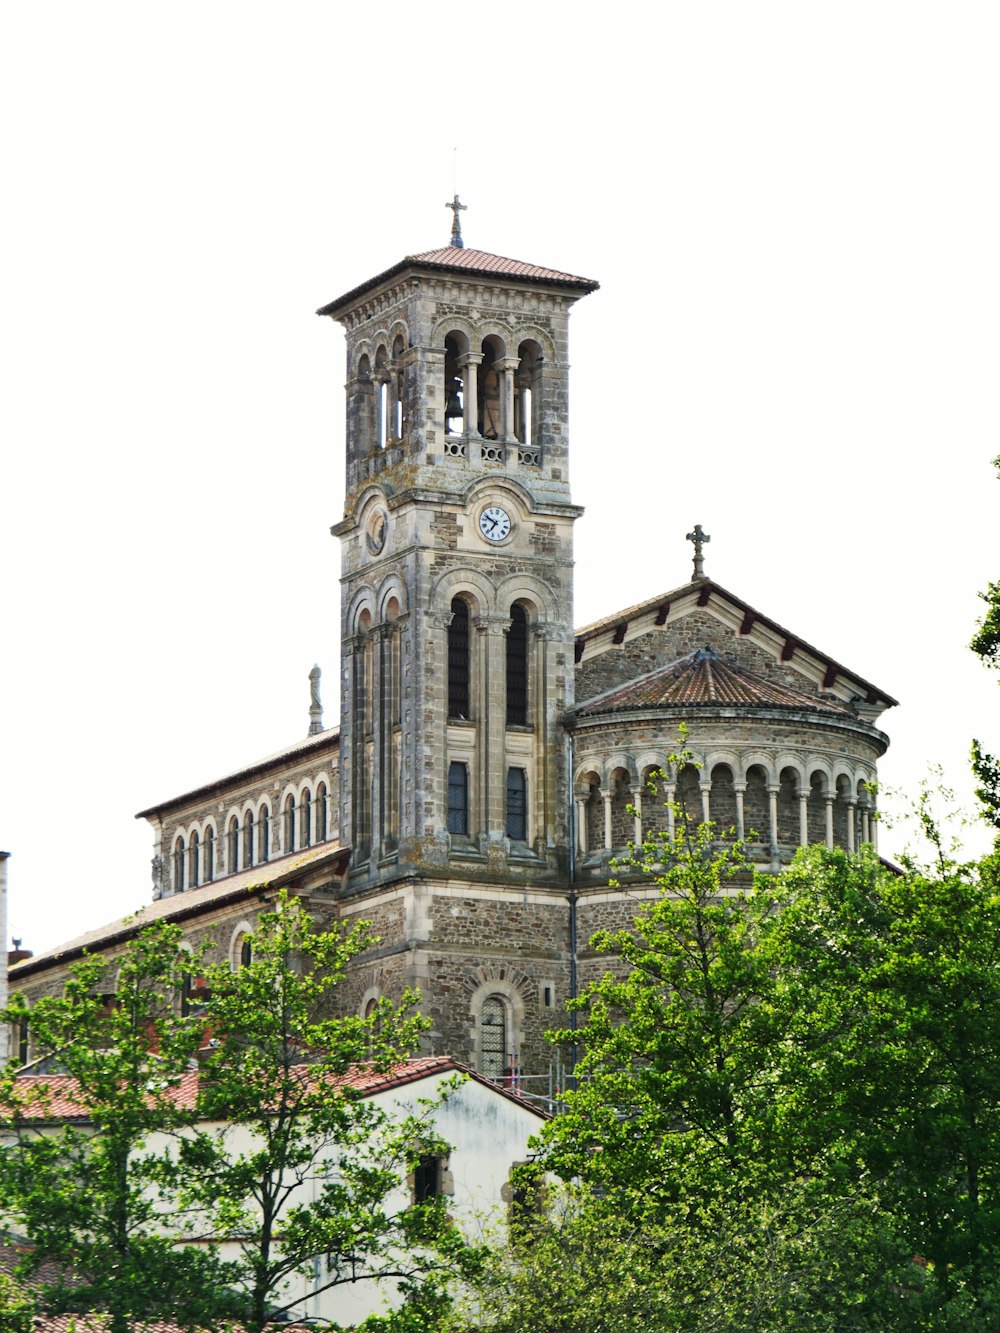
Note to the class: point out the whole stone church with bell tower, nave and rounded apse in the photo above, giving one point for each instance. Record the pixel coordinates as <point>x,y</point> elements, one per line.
<point>490,759</point>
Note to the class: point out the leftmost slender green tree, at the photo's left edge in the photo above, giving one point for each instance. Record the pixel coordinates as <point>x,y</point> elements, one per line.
<point>85,1188</point>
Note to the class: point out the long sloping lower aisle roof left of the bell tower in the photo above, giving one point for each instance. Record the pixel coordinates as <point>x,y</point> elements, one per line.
<point>181,907</point>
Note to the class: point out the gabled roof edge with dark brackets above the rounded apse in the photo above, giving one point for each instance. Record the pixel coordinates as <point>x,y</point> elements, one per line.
<point>745,619</point>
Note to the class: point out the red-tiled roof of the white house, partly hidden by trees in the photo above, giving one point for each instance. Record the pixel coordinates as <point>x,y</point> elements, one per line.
<point>61,1102</point>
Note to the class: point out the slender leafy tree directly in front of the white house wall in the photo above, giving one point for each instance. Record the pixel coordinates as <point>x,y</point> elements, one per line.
<point>278,1084</point>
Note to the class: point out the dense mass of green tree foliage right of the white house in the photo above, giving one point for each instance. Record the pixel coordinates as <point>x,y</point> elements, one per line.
<point>789,1107</point>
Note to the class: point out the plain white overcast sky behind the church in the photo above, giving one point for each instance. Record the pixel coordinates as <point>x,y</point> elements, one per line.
<point>793,210</point>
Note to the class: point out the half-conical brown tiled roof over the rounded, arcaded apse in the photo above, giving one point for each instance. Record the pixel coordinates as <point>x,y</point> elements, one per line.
<point>701,680</point>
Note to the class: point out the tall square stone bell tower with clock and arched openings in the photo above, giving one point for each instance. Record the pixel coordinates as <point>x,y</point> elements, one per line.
<point>457,569</point>
